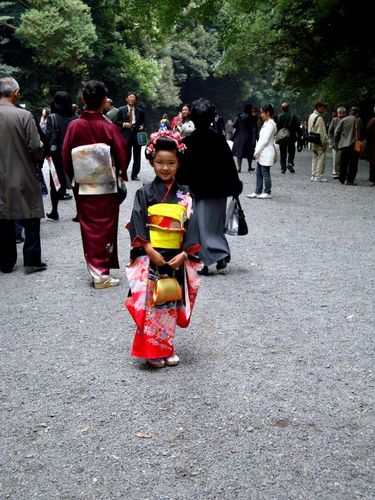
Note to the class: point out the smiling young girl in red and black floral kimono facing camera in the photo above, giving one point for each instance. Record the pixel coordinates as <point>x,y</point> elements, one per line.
<point>164,240</point>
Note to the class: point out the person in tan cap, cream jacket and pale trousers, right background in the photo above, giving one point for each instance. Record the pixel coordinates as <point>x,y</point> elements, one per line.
<point>316,124</point>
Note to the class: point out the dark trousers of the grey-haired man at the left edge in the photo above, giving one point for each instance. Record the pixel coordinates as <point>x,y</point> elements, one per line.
<point>8,246</point>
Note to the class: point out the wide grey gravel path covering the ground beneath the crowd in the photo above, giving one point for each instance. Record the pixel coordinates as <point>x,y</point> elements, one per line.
<point>274,395</point>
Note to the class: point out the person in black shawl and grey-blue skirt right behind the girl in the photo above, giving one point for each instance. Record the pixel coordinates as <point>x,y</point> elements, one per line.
<point>208,168</point>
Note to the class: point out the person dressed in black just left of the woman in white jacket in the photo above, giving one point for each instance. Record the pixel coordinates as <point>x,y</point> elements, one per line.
<point>244,137</point>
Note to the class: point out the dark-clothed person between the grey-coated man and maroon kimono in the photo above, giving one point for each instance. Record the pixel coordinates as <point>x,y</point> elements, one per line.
<point>57,123</point>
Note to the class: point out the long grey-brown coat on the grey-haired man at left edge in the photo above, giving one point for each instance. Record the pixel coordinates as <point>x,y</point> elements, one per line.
<point>20,148</point>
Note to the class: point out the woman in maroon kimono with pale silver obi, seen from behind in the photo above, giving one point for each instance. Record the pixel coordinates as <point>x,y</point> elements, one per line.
<point>90,143</point>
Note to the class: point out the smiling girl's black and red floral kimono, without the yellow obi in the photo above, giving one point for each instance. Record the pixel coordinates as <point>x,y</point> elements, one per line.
<point>156,324</point>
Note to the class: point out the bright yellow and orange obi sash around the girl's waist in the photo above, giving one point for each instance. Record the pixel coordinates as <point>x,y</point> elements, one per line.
<point>166,225</point>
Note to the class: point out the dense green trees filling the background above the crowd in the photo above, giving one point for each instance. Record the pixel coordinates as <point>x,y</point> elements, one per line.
<point>173,51</point>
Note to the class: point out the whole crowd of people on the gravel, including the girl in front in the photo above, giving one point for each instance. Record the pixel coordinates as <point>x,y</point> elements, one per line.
<point>177,225</point>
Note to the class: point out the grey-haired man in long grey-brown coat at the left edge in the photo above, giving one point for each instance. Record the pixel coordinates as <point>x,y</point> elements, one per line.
<point>20,191</point>
